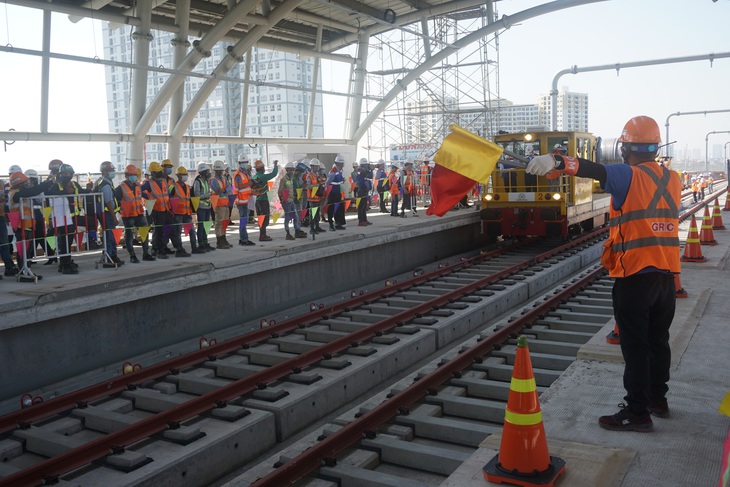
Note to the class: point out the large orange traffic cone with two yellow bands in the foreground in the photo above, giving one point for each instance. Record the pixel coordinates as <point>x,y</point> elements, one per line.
<point>523,457</point>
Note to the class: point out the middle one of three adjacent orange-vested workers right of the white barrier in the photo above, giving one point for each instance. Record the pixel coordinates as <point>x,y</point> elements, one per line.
<point>157,189</point>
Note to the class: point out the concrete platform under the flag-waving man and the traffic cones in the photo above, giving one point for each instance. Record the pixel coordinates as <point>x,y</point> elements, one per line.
<point>684,449</point>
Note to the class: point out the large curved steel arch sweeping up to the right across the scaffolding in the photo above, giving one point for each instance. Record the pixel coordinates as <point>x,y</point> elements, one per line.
<point>505,22</point>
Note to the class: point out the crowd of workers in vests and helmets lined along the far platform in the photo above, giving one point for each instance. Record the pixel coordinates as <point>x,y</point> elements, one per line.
<point>49,214</point>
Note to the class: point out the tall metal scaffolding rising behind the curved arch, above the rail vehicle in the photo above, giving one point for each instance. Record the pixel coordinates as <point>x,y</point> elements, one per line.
<point>461,89</point>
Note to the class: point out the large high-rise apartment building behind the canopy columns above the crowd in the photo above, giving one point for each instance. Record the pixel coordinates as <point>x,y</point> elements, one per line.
<point>271,111</point>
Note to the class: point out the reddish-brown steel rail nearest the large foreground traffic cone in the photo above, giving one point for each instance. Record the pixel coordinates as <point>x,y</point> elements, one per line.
<point>326,451</point>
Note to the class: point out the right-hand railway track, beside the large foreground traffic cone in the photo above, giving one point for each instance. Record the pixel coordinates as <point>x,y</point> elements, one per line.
<point>418,433</point>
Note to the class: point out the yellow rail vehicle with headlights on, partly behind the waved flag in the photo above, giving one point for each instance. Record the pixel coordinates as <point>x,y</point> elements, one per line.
<point>517,204</point>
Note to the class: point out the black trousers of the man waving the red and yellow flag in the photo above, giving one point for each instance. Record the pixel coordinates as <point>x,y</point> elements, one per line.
<point>643,305</point>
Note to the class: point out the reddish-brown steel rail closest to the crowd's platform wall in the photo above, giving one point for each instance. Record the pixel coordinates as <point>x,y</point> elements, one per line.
<point>117,384</point>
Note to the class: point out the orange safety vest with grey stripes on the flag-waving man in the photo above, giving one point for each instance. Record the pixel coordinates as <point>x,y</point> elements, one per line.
<point>644,231</point>
